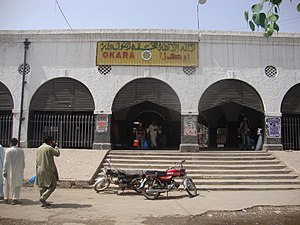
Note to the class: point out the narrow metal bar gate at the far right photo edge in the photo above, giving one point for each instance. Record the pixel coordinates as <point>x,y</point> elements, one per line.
<point>291,132</point>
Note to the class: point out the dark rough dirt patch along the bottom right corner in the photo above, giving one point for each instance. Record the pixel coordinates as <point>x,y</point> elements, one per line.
<point>283,215</point>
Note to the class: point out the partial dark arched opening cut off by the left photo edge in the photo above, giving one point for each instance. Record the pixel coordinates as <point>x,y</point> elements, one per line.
<point>6,118</point>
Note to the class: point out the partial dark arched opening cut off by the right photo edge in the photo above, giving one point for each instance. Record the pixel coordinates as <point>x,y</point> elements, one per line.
<point>290,109</point>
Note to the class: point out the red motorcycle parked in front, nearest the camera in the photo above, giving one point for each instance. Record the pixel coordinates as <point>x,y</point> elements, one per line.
<point>156,182</point>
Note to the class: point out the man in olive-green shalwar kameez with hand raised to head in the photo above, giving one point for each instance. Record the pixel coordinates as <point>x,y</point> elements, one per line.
<point>46,171</point>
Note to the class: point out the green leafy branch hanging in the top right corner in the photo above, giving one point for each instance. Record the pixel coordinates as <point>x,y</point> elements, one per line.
<point>265,15</point>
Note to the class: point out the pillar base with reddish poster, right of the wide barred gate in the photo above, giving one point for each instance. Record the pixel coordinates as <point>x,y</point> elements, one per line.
<point>102,139</point>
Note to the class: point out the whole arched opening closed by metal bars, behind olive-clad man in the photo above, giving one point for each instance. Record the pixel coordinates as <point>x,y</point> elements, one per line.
<point>64,109</point>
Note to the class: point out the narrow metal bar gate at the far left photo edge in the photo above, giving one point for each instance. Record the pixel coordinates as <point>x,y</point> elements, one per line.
<point>6,122</point>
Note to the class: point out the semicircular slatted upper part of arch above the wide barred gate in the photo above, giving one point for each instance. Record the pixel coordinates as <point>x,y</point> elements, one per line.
<point>62,94</point>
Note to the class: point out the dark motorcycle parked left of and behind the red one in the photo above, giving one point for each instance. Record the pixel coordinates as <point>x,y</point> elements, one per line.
<point>125,179</point>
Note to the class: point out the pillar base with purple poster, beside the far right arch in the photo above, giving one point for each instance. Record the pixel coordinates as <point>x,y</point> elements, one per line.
<point>272,133</point>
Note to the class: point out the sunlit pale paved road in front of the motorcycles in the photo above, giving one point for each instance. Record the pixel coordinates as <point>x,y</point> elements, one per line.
<point>84,206</point>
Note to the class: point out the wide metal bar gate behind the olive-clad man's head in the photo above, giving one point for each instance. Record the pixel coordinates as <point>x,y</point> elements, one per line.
<point>69,130</point>
